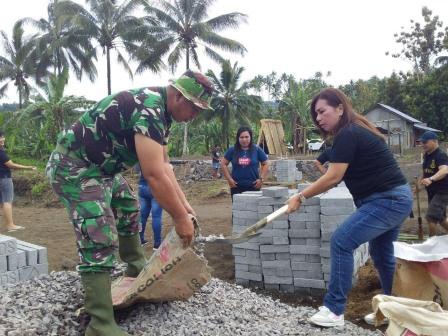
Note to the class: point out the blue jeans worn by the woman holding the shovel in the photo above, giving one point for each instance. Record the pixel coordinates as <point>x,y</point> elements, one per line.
<point>377,220</point>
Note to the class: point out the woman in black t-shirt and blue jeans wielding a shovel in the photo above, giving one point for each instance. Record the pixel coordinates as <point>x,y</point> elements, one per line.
<point>381,194</point>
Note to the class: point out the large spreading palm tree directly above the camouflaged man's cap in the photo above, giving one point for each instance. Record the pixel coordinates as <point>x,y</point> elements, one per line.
<point>183,27</point>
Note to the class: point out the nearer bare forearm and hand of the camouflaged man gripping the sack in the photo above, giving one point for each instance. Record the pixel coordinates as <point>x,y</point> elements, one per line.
<point>154,168</point>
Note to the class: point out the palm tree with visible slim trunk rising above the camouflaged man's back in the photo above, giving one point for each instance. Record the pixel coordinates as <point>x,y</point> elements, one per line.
<point>113,27</point>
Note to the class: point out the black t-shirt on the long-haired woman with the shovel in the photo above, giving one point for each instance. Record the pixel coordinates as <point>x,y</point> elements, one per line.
<point>371,165</point>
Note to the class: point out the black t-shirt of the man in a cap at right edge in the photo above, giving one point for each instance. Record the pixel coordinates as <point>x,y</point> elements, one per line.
<point>431,164</point>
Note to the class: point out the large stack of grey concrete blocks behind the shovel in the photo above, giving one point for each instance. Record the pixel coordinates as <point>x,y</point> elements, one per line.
<point>293,252</point>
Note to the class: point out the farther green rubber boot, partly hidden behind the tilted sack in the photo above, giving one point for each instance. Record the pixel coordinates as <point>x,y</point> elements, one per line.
<point>131,252</point>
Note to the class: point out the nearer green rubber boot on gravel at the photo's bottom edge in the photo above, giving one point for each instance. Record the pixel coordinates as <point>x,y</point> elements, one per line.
<point>98,304</point>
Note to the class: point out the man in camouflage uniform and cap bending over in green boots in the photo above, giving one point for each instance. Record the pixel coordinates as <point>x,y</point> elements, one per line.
<point>84,171</point>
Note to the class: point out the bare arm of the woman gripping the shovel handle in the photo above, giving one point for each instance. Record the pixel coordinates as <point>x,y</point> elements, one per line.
<point>333,176</point>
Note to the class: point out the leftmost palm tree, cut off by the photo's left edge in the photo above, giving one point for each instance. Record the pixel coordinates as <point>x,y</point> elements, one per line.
<point>17,65</point>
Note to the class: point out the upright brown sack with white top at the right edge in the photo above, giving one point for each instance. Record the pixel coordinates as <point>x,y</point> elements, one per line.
<point>421,272</point>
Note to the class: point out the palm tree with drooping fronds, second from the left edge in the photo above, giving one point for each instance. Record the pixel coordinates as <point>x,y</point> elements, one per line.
<point>61,44</point>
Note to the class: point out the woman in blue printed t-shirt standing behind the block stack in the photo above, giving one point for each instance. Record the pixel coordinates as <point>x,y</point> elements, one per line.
<point>246,158</point>
